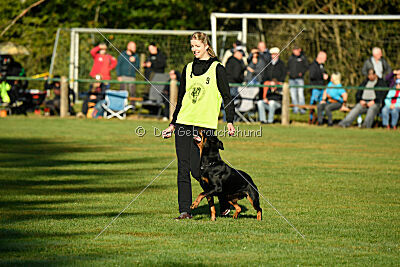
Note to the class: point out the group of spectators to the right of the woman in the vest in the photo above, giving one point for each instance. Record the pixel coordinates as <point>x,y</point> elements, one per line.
<point>264,67</point>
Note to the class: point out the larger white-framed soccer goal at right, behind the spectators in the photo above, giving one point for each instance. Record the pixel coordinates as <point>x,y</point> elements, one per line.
<point>347,39</point>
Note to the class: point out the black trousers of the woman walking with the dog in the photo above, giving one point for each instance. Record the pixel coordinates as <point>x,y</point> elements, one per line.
<point>188,155</point>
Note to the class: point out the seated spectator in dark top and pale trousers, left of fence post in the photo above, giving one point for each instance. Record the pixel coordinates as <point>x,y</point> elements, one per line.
<point>271,101</point>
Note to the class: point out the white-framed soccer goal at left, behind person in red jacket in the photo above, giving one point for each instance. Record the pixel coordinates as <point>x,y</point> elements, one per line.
<point>72,48</point>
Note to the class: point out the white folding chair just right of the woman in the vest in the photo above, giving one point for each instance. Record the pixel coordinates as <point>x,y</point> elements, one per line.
<point>246,107</point>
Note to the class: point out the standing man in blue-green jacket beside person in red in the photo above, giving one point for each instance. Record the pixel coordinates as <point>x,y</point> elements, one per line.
<point>128,64</point>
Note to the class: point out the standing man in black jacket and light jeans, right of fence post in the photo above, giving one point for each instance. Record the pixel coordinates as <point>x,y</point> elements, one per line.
<point>297,67</point>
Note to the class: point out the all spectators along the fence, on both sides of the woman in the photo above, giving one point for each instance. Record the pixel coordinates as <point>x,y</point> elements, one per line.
<point>262,66</point>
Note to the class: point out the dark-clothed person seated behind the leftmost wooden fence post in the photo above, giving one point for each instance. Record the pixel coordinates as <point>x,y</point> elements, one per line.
<point>54,104</point>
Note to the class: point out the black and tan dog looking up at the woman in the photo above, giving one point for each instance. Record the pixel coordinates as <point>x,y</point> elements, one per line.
<point>219,179</point>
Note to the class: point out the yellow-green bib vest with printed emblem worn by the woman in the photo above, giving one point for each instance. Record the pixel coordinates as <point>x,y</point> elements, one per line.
<point>201,103</point>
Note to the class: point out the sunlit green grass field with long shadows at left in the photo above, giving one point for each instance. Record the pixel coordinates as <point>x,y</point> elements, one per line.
<point>62,182</point>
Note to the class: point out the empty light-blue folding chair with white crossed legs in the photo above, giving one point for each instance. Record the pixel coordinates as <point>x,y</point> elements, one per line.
<point>116,104</point>
